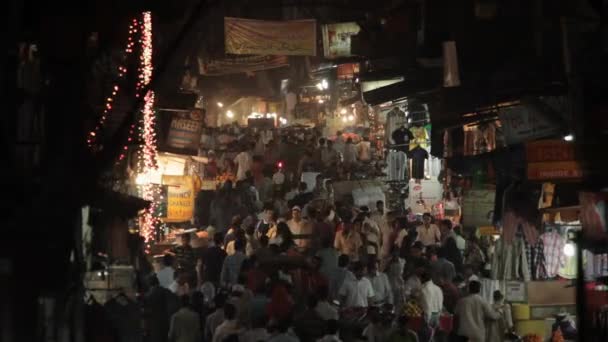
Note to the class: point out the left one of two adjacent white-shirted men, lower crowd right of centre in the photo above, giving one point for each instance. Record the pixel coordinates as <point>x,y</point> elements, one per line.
<point>358,292</point>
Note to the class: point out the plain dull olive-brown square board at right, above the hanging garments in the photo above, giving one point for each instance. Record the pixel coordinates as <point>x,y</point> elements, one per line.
<point>478,207</point>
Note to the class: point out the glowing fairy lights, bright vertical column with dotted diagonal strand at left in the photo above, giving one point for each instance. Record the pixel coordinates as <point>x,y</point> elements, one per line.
<point>146,127</point>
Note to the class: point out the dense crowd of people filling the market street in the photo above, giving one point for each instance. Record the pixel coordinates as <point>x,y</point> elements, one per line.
<point>289,262</point>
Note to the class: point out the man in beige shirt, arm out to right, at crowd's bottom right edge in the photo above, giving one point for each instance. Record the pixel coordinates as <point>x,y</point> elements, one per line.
<point>472,313</point>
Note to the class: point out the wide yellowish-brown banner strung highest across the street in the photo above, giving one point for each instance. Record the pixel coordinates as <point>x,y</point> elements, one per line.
<point>263,37</point>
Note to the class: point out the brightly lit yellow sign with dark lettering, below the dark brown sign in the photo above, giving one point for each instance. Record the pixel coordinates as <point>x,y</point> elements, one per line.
<point>181,195</point>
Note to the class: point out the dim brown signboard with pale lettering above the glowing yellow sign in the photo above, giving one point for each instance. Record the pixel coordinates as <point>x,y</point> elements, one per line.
<point>185,130</point>
